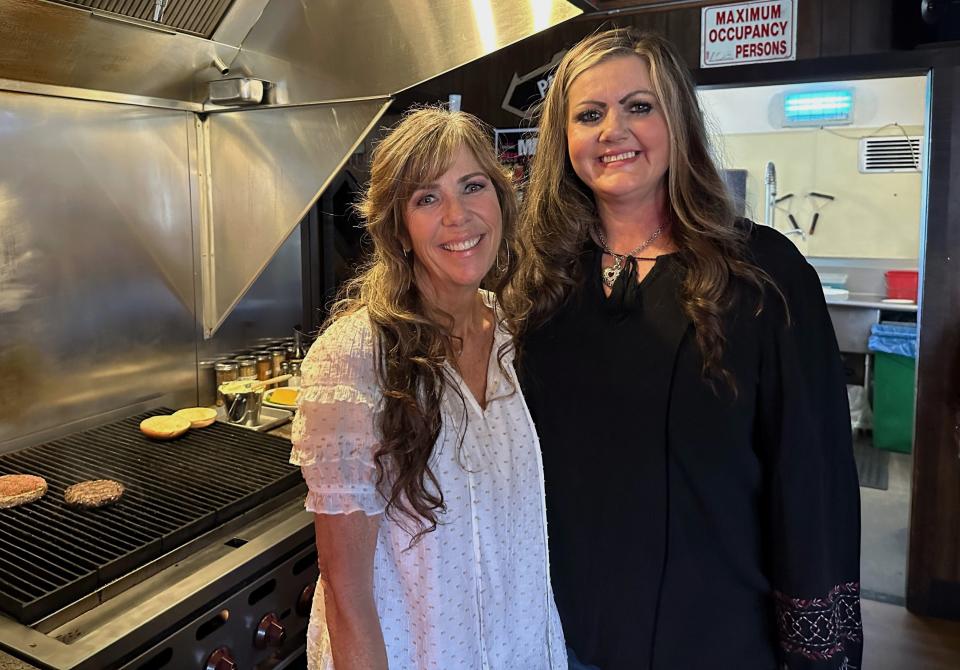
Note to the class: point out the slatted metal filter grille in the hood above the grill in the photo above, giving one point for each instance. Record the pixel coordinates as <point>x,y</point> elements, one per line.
<point>195,17</point>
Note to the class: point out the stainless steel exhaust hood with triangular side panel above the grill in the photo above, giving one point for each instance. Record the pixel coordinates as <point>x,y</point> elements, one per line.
<point>333,67</point>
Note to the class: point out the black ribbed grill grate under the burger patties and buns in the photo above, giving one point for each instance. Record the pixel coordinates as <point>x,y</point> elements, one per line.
<point>52,555</point>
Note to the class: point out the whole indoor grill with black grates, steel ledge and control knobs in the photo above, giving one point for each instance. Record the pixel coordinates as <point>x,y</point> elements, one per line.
<point>208,554</point>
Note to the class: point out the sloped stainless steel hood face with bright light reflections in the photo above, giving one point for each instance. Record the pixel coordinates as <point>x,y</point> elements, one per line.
<point>343,48</point>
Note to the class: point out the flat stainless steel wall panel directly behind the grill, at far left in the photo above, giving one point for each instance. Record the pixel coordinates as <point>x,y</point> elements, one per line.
<point>96,261</point>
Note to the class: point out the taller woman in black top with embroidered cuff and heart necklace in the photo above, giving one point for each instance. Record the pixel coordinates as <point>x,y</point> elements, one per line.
<point>682,371</point>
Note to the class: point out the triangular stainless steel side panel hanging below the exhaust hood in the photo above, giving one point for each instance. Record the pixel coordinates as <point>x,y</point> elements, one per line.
<point>267,167</point>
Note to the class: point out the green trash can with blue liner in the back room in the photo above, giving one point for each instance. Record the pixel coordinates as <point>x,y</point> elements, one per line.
<point>894,348</point>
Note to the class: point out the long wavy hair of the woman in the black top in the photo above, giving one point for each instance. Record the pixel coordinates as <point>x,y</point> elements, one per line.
<point>559,210</point>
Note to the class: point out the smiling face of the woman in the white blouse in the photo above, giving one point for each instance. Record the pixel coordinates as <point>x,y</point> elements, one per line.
<point>454,225</point>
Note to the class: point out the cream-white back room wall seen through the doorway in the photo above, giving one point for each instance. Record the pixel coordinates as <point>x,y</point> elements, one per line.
<point>874,215</point>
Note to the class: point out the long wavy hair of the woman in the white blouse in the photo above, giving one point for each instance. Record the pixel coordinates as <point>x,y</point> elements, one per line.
<point>413,338</point>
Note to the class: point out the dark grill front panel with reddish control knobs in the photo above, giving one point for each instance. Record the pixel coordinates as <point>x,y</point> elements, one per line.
<point>261,626</point>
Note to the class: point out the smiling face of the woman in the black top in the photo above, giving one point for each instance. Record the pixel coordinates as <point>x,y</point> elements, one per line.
<point>617,135</point>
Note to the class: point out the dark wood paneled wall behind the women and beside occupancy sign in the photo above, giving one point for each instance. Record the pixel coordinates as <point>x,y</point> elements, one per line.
<point>825,28</point>
